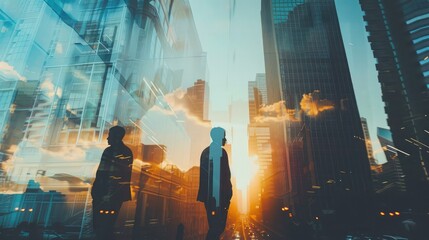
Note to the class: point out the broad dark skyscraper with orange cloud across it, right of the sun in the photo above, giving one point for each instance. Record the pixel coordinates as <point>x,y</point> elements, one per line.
<point>306,66</point>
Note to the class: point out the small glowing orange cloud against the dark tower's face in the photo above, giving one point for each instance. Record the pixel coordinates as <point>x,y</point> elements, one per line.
<point>311,105</point>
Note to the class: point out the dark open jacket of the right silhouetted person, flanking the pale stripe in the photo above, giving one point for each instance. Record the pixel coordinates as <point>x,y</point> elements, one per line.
<point>206,183</point>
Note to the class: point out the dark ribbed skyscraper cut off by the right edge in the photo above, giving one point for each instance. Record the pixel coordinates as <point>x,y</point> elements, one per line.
<point>399,37</point>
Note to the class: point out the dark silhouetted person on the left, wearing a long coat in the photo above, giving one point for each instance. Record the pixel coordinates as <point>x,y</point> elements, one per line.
<point>112,184</point>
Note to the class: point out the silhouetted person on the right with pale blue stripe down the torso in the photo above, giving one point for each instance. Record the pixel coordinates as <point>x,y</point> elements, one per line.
<point>215,189</point>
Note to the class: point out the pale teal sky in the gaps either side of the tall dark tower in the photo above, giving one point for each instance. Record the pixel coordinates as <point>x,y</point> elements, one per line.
<point>230,33</point>
